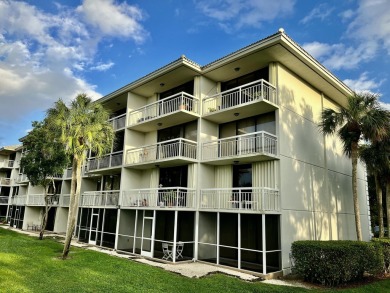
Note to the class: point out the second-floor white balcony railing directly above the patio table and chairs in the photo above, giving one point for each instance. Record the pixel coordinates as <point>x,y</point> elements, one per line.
<point>166,197</point>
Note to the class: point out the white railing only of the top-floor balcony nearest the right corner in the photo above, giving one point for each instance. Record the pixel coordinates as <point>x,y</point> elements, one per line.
<point>251,92</point>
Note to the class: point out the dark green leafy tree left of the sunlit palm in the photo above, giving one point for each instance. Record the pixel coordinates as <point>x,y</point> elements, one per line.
<point>43,160</point>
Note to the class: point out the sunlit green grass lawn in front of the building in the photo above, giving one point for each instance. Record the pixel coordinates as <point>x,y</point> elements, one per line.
<point>30,265</point>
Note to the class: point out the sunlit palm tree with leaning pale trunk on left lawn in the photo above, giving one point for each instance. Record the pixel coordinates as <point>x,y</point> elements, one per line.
<point>81,127</point>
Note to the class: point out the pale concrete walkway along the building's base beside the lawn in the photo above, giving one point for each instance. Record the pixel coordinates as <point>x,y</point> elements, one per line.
<point>187,269</point>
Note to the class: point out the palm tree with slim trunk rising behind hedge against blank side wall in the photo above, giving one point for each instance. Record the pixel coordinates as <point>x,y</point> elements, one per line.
<point>362,118</point>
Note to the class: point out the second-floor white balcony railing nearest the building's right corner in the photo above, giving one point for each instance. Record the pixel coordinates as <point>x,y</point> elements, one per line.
<point>248,199</point>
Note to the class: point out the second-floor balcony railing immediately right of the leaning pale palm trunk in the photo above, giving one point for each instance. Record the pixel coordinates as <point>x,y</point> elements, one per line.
<point>100,198</point>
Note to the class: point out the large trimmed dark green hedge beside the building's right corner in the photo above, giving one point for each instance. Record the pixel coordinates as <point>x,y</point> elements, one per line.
<point>334,262</point>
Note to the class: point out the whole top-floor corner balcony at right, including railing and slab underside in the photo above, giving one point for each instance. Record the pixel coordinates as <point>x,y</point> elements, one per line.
<point>244,101</point>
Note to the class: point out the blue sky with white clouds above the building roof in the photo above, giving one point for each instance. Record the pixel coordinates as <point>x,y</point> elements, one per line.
<point>57,49</point>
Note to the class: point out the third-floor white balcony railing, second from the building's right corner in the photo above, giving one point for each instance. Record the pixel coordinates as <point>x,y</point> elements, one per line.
<point>179,147</point>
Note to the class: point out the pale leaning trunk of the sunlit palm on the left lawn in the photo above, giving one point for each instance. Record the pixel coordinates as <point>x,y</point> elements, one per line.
<point>73,205</point>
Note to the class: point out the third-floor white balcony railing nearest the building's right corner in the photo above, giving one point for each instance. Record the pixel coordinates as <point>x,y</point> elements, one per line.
<point>260,142</point>
